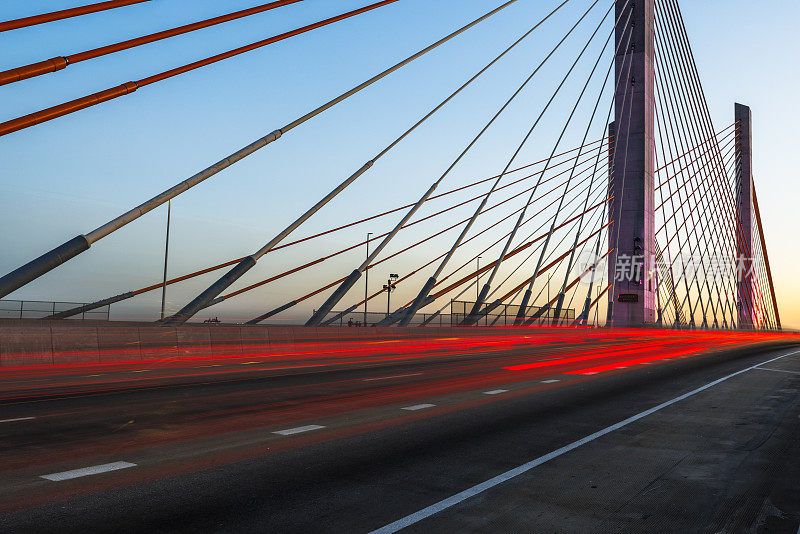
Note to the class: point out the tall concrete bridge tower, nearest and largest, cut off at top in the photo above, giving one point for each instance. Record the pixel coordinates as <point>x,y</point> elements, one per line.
<point>632,299</point>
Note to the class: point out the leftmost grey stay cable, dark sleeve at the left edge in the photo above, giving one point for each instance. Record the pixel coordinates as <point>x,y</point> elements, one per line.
<point>50,260</point>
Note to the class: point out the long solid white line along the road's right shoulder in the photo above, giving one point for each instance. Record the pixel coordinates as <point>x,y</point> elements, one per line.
<point>477,489</point>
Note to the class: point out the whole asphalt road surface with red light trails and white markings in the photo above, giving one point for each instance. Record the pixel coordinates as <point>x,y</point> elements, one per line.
<point>548,432</point>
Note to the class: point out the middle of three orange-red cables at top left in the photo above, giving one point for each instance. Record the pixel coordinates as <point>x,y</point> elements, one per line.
<point>61,62</point>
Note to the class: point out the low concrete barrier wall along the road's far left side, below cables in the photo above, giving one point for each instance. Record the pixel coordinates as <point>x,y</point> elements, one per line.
<point>34,342</point>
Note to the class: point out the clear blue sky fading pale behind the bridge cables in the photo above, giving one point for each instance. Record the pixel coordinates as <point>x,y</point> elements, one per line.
<point>73,174</point>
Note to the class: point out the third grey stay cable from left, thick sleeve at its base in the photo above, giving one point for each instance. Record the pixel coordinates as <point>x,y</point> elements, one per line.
<point>337,295</point>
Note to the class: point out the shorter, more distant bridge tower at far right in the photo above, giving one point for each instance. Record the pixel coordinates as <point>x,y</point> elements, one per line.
<point>744,211</point>
